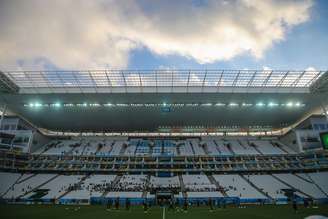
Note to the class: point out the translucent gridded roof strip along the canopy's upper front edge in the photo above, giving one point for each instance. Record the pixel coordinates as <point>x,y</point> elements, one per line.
<point>138,80</point>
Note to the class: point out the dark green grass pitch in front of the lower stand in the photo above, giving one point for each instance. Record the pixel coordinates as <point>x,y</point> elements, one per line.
<point>99,212</point>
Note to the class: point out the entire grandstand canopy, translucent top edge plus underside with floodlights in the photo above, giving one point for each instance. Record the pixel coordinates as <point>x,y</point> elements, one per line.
<point>113,100</point>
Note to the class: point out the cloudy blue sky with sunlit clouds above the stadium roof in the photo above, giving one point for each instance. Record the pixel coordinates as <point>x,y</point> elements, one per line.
<point>152,34</point>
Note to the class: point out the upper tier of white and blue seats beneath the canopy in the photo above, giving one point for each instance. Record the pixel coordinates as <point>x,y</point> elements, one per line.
<point>159,147</point>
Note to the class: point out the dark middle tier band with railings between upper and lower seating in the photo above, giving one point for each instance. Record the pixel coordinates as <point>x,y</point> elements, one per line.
<point>238,163</point>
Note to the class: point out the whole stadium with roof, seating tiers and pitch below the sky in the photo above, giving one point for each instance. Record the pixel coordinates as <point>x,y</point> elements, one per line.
<point>164,143</point>
